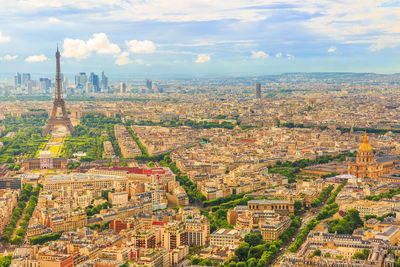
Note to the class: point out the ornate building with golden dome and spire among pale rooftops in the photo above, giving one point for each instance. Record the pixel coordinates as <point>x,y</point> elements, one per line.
<point>366,165</point>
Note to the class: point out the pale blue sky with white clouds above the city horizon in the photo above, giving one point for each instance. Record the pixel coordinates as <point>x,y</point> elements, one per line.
<point>200,37</point>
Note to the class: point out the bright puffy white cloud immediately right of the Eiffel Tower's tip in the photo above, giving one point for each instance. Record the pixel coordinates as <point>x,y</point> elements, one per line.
<point>75,48</point>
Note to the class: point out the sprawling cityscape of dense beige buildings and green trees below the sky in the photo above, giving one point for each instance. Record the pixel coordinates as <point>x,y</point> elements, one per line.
<point>176,173</point>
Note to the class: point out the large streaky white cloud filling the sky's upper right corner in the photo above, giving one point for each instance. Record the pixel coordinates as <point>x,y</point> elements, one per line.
<point>369,22</point>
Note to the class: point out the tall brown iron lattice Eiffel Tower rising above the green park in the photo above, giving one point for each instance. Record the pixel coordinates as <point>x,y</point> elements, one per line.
<point>58,103</point>
